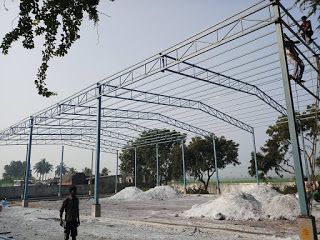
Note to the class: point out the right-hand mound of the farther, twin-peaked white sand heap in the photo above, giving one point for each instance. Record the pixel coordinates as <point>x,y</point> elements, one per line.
<point>159,193</point>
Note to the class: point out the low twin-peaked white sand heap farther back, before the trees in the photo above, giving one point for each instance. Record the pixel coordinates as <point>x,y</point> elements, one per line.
<point>135,194</point>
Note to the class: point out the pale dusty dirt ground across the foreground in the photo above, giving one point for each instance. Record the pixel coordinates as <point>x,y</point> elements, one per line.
<point>138,220</point>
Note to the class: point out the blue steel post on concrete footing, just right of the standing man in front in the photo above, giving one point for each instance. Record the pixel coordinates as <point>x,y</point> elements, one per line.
<point>96,206</point>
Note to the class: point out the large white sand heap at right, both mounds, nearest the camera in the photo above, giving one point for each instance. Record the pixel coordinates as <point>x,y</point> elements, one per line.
<point>260,202</point>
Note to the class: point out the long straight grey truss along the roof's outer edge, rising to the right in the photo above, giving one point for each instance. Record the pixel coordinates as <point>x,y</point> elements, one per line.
<point>250,20</point>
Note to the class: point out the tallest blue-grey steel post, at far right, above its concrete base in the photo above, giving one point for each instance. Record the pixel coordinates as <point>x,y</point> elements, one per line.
<point>290,113</point>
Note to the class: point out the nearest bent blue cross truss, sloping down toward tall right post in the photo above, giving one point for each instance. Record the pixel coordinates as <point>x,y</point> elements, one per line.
<point>216,78</point>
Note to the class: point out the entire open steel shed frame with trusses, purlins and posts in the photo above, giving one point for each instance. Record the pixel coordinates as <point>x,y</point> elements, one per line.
<point>201,86</point>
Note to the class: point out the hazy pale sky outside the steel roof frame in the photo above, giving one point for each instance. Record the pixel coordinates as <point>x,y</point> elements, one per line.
<point>134,31</point>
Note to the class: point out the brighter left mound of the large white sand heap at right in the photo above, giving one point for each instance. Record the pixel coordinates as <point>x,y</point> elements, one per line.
<point>230,206</point>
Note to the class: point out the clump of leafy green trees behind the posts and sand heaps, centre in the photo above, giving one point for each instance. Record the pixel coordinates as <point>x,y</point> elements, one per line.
<point>199,158</point>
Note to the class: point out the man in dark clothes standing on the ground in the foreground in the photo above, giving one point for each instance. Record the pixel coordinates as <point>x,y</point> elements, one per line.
<point>71,207</point>
